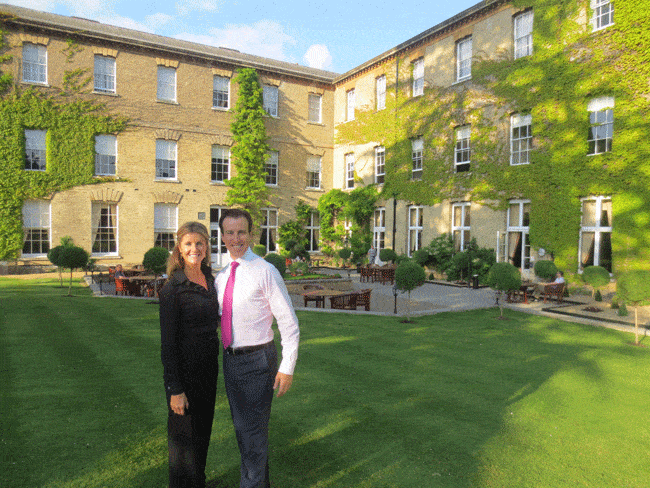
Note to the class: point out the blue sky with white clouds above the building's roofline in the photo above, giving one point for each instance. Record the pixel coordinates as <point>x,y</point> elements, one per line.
<point>334,35</point>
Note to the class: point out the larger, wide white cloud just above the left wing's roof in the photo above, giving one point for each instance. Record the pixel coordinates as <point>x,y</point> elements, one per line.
<point>264,38</point>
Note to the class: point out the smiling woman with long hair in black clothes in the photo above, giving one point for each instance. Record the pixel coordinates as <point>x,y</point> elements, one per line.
<point>189,316</point>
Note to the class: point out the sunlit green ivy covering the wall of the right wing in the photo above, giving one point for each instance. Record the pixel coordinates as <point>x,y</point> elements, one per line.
<point>570,66</point>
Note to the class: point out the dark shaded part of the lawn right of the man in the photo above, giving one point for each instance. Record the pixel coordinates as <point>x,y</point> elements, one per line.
<point>414,410</point>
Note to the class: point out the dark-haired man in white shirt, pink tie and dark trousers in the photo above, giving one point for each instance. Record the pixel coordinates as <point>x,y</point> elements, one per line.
<point>251,292</point>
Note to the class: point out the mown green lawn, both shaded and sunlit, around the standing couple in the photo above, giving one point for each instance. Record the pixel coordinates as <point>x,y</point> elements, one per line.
<point>452,400</point>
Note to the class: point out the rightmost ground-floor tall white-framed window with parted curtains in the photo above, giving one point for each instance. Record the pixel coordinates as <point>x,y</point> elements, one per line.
<point>596,233</point>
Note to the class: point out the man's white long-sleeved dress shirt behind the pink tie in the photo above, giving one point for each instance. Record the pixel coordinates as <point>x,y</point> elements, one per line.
<point>259,294</point>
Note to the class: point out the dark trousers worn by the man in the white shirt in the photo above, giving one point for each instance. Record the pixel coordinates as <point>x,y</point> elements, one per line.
<point>249,382</point>
